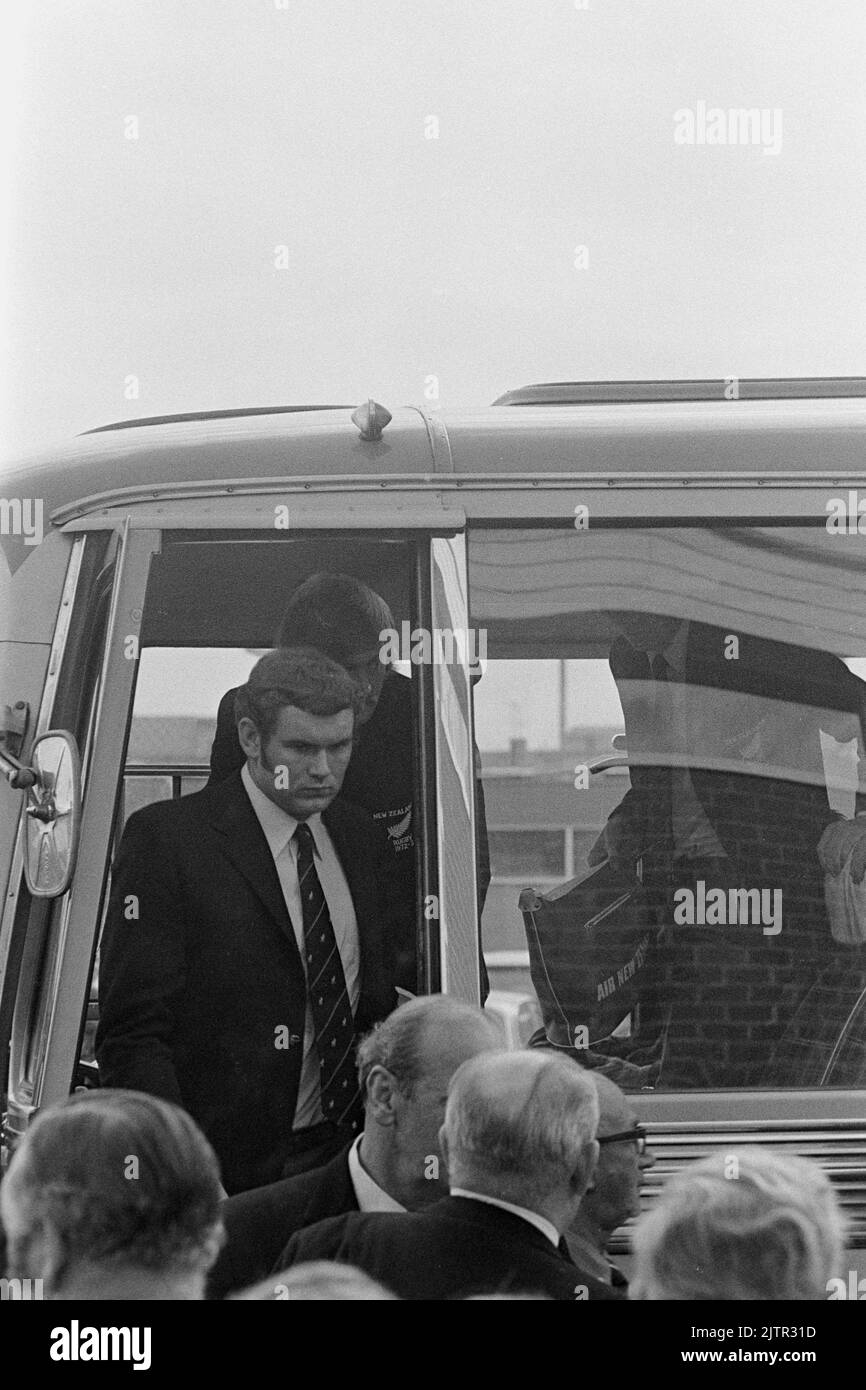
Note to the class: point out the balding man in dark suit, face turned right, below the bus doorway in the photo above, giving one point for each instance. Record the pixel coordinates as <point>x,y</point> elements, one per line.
<point>404,1065</point>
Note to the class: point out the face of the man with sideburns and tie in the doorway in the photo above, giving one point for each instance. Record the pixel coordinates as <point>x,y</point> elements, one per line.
<point>301,767</point>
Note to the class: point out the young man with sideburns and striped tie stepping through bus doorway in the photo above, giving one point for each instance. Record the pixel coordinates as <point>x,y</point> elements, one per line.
<point>223,906</point>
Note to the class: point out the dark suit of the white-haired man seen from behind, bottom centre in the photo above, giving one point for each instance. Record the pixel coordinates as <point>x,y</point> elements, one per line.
<point>454,1249</point>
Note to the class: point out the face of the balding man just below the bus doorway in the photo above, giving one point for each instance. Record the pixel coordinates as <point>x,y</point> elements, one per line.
<point>420,1117</point>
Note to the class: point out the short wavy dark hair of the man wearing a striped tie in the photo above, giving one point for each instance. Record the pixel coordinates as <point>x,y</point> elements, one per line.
<point>298,676</point>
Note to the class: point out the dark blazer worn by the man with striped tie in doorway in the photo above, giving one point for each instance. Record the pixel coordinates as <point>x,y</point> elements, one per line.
<point>202,989</point>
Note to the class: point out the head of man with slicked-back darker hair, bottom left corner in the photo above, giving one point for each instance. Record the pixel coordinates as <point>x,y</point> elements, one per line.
<point>113,1196</point>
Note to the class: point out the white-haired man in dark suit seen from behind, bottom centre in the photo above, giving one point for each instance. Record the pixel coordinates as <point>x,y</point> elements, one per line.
<point>519,1140</point>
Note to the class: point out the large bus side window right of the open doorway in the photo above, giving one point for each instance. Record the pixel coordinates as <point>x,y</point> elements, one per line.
<point>672,735</point>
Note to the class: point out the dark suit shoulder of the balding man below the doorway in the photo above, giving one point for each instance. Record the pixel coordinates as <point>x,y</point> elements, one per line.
<point>261,1224</point>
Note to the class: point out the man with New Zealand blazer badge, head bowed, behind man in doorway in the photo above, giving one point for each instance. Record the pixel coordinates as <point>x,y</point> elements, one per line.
<point>343,618</point>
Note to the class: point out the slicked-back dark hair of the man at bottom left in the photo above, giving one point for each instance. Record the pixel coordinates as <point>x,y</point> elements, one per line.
<point>122,1178</point>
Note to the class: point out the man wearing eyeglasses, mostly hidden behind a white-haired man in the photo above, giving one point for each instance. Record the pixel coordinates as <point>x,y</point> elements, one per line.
<point>615,1192</point>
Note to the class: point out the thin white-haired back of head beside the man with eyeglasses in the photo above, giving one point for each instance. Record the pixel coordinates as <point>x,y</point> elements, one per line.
<point>522,1127</point>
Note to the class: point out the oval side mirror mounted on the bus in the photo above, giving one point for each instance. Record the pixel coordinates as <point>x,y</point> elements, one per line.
<point>52,815</point>
